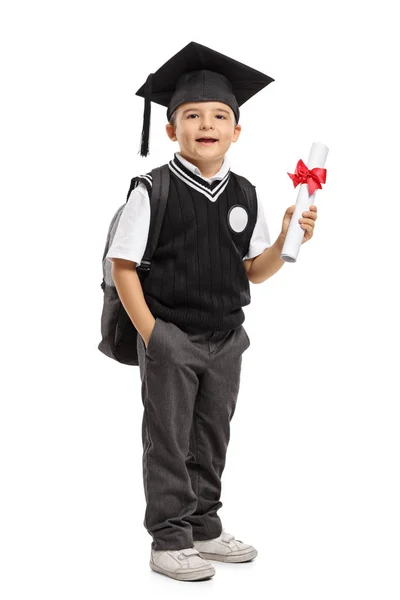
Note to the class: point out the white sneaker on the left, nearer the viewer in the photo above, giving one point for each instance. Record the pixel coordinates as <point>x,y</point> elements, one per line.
<point>186,564</point>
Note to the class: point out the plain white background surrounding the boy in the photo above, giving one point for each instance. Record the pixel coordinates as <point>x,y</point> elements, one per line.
<point>312,473</point>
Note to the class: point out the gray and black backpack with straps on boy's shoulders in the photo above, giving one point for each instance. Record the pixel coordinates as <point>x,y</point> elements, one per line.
<point>119,335</point>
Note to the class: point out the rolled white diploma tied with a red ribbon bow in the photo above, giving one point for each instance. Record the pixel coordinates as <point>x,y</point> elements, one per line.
<point>309,177</point>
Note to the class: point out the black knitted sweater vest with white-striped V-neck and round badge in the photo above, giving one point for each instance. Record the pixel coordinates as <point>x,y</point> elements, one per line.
<point>197,277</point>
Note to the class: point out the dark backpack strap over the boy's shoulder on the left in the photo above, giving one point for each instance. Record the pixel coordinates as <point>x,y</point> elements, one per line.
<point>158,202</point>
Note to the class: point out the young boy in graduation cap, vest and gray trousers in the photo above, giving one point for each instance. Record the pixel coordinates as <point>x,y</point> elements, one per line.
<point>213,241</point>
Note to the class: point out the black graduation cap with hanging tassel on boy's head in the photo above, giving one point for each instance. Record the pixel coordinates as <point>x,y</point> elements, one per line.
<point>198,74</point>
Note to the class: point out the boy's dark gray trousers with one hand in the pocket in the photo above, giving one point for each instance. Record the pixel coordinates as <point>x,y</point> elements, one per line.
<point>189,383</point>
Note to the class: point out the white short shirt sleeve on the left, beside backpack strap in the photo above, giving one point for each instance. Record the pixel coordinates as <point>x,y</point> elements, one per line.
<point>132,232</point>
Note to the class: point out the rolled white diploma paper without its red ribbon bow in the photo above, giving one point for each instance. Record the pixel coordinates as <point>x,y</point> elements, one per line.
<point>295,232</point>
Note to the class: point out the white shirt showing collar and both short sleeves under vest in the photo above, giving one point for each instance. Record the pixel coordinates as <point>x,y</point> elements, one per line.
<point>131,235</point>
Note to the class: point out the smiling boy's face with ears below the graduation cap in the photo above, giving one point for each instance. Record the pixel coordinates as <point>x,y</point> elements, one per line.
<point>196,120</point>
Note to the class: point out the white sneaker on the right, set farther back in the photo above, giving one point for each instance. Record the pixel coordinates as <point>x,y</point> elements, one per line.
<point>226,549</point>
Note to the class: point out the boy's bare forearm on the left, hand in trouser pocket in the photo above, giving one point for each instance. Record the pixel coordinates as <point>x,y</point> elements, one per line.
<point>131,295</point>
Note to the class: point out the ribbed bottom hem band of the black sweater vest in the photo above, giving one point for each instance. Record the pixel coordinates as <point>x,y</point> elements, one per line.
<point>194,318</point>
